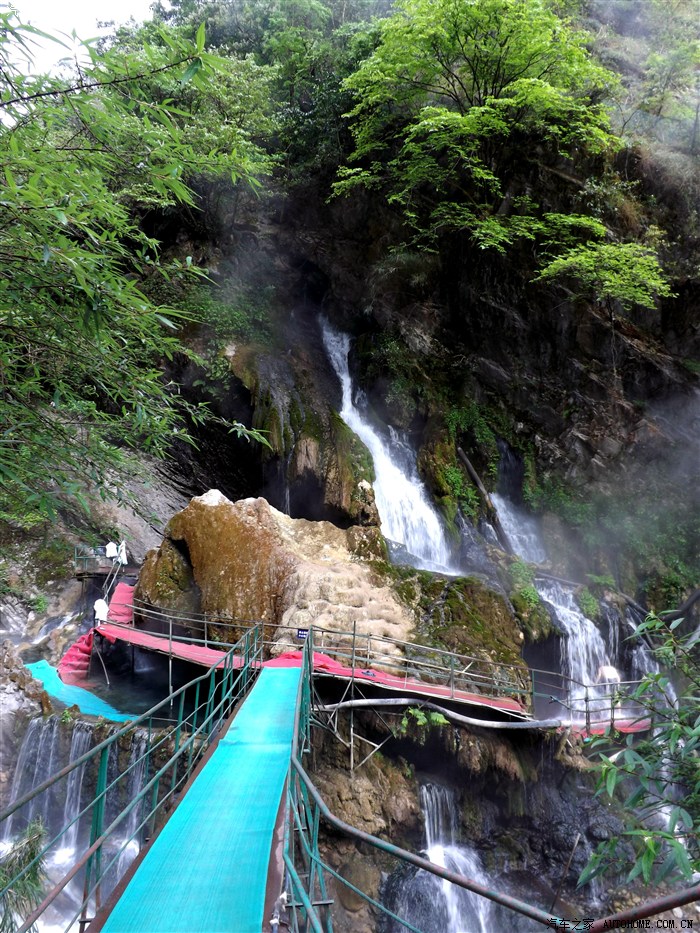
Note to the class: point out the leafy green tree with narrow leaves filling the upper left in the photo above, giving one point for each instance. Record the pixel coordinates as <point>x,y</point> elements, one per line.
<point>81,346</point>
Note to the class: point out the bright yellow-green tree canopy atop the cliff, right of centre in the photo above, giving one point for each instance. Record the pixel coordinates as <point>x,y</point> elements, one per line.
<point>461,109</point>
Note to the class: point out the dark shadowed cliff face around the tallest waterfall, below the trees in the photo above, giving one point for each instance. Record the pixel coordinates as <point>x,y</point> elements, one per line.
<point>590,400</point>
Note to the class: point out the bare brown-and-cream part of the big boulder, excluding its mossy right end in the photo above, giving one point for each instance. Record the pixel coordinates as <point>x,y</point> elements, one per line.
<point>246,561</point>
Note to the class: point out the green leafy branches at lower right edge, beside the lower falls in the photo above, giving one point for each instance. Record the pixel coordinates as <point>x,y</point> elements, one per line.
<point>657,777</point>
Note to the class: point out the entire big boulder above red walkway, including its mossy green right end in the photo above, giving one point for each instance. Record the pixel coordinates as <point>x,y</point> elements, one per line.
<point>245,561</point>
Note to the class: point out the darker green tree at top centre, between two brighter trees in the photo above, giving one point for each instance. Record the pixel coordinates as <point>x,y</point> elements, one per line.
<point>309,46</point>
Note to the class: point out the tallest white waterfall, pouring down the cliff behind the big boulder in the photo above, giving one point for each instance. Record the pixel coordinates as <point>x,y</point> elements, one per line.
<point>406,513</point>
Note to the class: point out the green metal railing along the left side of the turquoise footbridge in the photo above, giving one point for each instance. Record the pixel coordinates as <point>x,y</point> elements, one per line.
<point>120,814</point>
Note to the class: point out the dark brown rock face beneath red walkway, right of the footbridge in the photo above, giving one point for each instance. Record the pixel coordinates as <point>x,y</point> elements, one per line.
<point>525,804</point>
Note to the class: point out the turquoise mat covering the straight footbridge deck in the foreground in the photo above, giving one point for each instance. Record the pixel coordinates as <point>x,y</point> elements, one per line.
<point>207,870</point>
